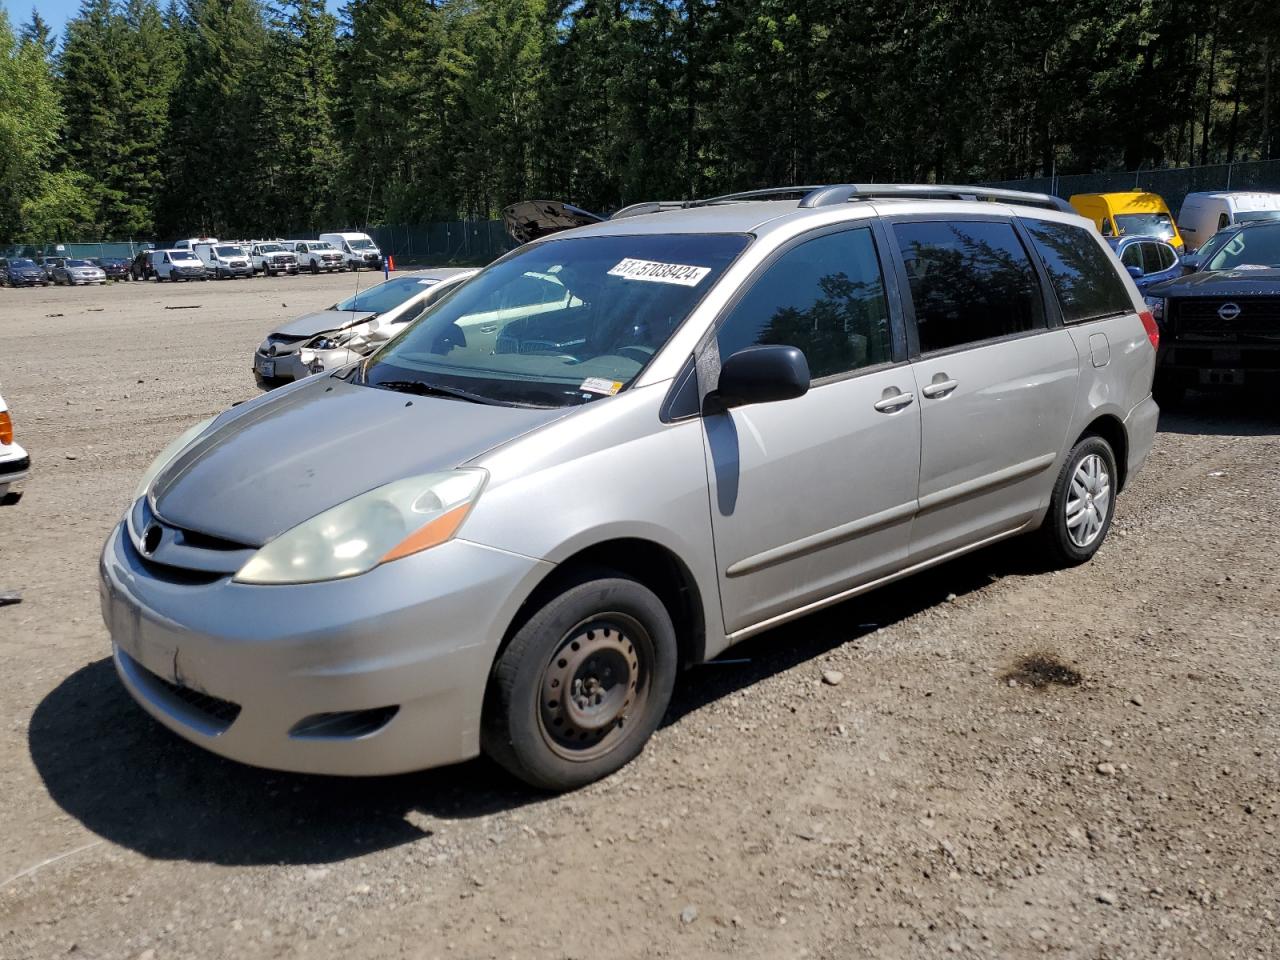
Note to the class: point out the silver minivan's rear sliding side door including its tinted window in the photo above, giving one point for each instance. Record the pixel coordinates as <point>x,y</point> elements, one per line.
<point>998,381</point>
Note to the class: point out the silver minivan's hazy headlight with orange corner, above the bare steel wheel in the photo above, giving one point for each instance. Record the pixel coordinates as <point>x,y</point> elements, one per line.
<point>392,522</point>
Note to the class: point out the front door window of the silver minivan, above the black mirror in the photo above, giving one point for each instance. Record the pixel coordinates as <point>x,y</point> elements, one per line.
<point>825,296</point>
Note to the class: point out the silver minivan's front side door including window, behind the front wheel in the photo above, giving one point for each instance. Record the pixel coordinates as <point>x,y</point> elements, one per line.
<point>816,495</point>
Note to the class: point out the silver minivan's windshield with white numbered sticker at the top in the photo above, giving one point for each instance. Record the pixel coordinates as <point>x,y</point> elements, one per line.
<point>560,323</point>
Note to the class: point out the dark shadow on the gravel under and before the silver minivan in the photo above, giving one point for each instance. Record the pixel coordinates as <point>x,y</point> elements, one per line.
<point>131,781</point>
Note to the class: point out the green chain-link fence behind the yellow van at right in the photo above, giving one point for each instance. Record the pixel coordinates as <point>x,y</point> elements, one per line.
<point>1173,185</point>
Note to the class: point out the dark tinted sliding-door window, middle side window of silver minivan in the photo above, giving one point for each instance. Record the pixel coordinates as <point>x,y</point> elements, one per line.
<point>971,281</point>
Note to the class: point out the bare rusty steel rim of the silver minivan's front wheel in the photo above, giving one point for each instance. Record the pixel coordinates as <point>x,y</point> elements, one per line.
<point>596,680</point>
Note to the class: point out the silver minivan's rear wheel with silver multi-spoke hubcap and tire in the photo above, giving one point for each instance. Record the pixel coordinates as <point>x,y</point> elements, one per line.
<point>1090,476</point>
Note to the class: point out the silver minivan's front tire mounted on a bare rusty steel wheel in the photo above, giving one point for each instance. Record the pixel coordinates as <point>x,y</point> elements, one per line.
<point>598,627</point>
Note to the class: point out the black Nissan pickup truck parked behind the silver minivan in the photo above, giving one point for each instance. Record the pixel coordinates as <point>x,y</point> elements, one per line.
<point>1220,324</point>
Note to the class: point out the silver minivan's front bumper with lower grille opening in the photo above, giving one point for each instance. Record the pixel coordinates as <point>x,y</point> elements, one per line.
<point>419,634</point>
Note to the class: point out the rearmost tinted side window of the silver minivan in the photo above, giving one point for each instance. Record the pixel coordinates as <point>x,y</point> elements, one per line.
<point>1085,278</point>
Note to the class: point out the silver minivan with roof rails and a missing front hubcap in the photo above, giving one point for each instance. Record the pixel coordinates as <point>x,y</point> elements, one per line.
<point>619,451</point>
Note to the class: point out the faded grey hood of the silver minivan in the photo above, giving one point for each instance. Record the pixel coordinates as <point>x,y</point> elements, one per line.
<point>294,454</point>
